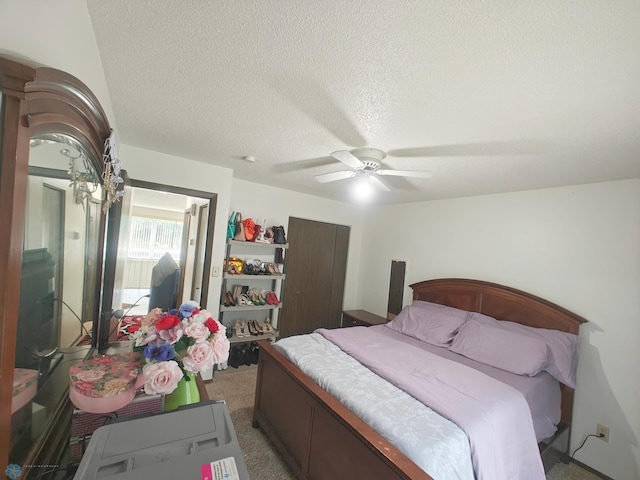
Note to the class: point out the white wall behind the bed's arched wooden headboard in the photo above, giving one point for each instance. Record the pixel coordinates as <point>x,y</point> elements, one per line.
<point>578,247</point>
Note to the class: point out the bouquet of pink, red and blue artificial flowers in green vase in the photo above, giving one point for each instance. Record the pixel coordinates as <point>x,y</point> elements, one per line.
<point>186,339</point>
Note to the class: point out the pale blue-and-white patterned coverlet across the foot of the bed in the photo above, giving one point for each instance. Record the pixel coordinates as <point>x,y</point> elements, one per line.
<point>432,442</point>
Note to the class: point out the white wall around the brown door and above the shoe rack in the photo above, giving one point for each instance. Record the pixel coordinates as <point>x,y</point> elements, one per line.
<point>277,205</point>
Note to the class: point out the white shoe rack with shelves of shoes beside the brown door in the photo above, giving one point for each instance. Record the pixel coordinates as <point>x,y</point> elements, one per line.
<point>270,281</point>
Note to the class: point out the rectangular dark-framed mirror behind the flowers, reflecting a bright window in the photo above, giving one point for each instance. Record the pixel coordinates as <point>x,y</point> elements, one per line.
<point>167,228</point>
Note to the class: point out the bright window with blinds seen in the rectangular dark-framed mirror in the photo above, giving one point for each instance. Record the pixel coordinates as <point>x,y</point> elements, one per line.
<point>152,238</point>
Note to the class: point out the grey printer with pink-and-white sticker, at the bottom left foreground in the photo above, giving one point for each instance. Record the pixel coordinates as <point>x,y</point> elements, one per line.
<point>195,442</point>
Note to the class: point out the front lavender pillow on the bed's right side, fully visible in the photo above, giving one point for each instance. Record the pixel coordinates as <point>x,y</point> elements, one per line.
<point>510,351</point>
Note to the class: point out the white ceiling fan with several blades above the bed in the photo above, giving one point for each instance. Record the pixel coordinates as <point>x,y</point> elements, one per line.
<point>366,163</point>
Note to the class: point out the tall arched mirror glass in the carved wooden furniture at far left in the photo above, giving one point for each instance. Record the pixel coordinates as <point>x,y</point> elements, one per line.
<point>57,304</point>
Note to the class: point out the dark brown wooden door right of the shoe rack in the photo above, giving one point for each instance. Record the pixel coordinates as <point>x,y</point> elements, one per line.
<point>316,264</point>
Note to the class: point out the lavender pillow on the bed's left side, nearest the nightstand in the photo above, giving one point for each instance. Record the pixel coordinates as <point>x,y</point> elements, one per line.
<point>429,322</point>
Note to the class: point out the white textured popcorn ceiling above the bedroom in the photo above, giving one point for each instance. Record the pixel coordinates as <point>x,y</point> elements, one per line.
<point>489,97</point>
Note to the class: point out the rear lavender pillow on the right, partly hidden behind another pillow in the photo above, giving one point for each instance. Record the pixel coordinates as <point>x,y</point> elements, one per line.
<point>563,346</point>
